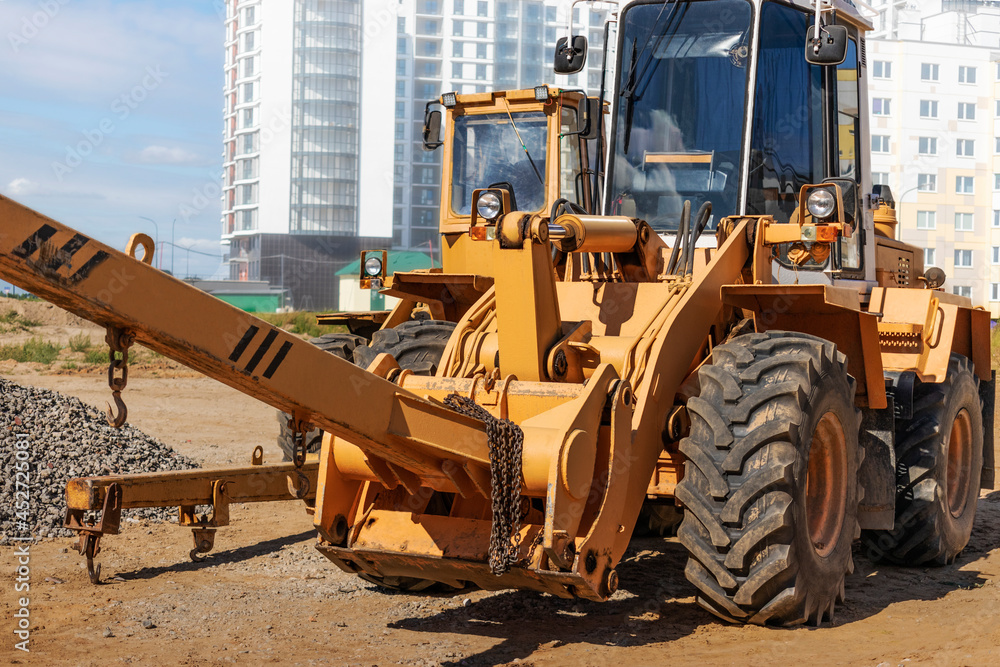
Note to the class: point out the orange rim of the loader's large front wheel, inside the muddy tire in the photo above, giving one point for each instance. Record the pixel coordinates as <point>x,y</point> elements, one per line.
<point>826,484</point>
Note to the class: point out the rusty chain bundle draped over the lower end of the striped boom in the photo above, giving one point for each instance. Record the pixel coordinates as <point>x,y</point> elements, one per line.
<point>506,442</point>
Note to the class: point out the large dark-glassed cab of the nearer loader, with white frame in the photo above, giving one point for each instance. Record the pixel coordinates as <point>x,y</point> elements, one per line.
<point>714,100</point>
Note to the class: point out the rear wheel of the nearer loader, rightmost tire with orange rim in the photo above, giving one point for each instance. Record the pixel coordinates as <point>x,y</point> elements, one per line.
<point>939,461</point>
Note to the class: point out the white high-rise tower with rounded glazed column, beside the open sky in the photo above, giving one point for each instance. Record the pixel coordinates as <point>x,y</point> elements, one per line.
<point>305,183</point>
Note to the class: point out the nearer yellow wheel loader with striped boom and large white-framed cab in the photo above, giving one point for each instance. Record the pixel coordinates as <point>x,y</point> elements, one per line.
<point>737,337</point>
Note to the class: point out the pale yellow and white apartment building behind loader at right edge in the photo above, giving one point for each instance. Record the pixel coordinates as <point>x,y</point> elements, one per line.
<point>934,86</point>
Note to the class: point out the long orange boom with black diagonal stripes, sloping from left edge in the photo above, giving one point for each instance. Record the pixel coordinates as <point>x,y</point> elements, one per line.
<point>116,290</point>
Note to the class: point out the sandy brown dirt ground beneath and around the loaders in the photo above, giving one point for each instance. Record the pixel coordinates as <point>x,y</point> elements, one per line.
<point>265,596</point>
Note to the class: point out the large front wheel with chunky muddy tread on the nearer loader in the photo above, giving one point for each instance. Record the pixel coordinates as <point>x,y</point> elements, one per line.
<point>770,487</point>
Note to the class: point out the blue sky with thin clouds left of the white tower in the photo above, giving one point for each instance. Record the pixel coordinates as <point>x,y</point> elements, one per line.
<point>111,110</point>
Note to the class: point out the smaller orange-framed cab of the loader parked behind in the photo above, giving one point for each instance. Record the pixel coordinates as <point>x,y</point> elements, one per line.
<point>529,147</point>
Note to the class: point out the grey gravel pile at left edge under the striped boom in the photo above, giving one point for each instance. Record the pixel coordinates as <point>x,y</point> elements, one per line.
<point>65,439</point>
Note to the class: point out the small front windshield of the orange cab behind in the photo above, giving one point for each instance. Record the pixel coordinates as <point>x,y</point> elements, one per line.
<point>487,151</point>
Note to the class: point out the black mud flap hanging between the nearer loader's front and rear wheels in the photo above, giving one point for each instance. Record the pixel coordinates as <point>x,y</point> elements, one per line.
<point>877,474</point>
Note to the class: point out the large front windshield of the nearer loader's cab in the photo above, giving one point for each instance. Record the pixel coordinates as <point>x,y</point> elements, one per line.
<point>680,109</point>
